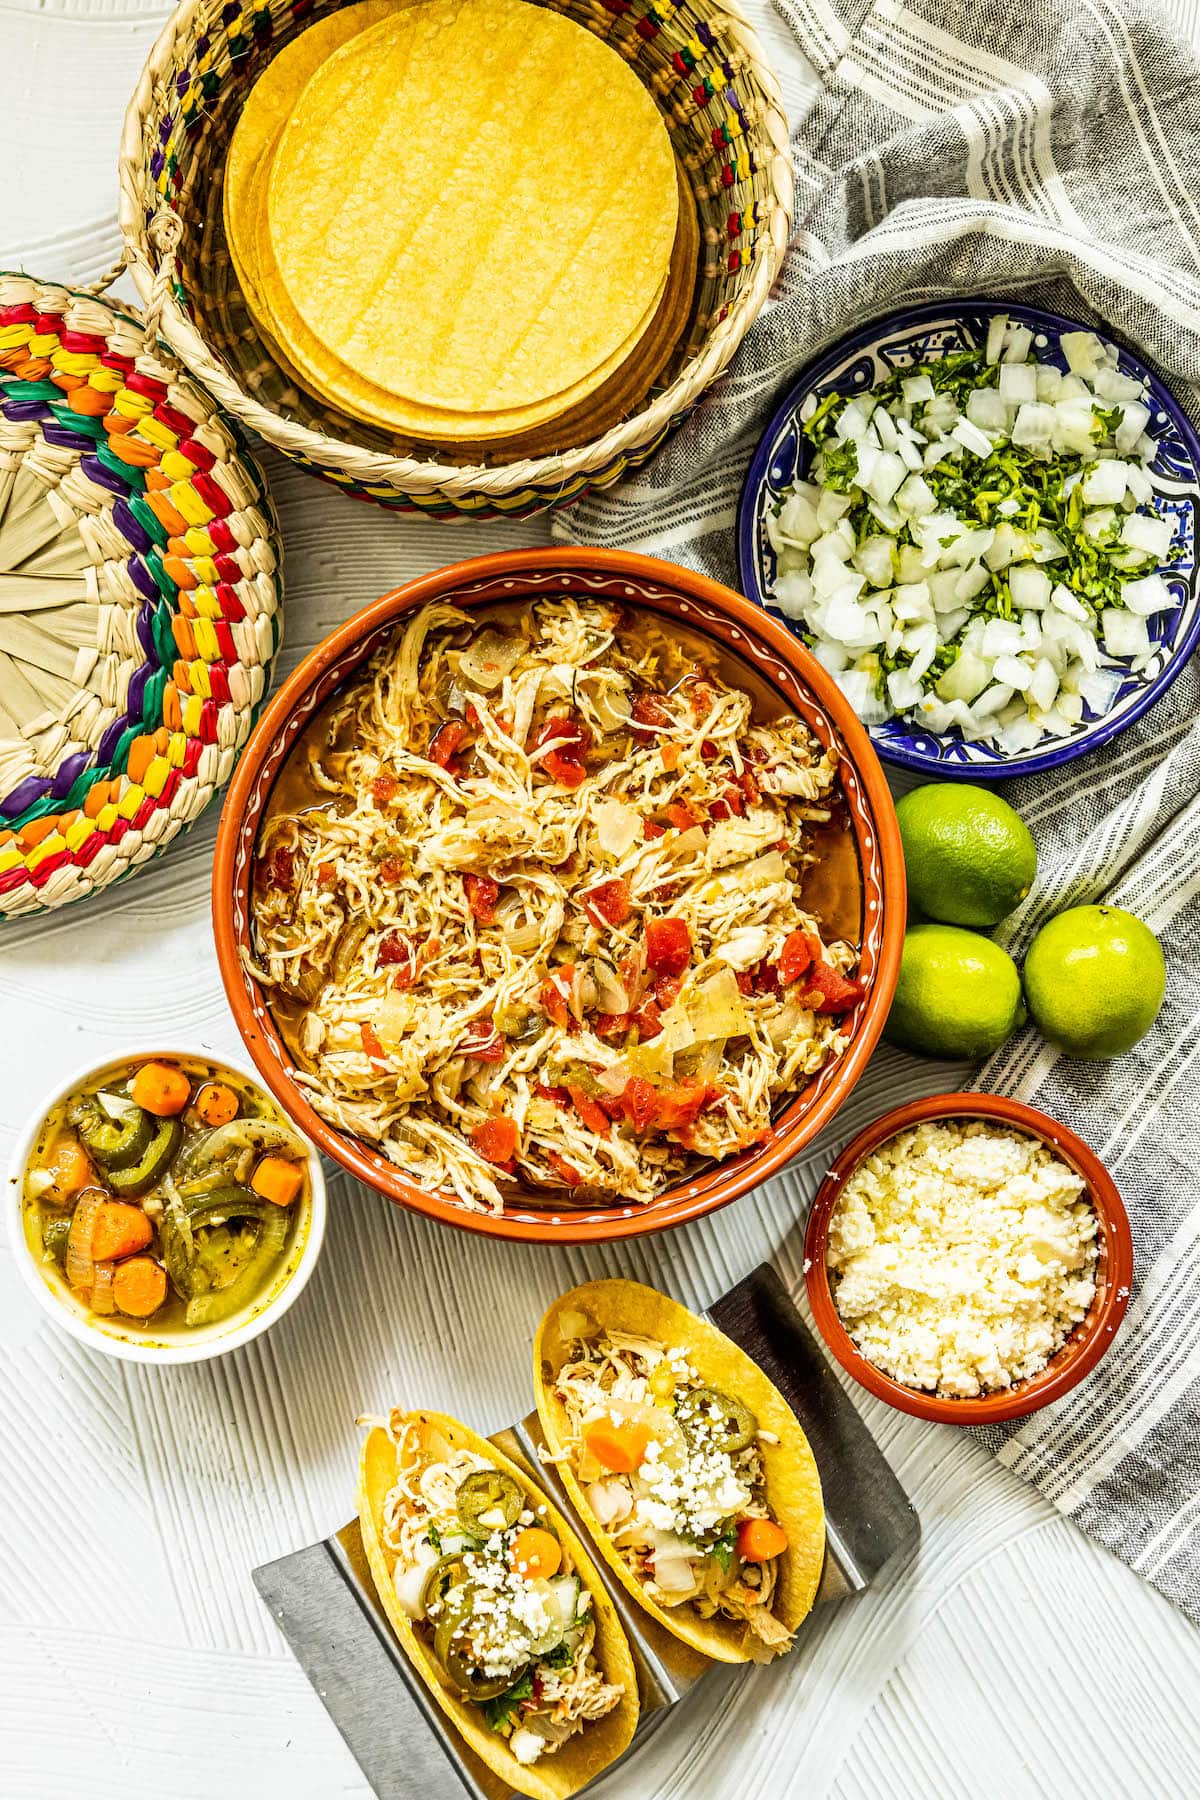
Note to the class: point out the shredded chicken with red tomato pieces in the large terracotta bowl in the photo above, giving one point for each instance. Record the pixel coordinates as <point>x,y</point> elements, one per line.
<point>528,906</point>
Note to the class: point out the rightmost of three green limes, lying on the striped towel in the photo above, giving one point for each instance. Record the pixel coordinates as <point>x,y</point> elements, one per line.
<point>1095,980</point>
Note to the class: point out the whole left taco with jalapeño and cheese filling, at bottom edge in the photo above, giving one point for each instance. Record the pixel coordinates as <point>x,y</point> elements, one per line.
<point>497,1605</point>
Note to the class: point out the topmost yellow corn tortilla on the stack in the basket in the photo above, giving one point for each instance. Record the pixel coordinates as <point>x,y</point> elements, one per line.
<point>474,204</point>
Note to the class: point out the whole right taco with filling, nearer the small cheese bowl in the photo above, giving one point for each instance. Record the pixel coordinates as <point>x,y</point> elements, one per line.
<point>686,1464</point>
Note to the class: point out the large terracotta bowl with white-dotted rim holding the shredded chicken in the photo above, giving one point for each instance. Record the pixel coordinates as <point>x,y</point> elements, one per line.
<point>676,595</point>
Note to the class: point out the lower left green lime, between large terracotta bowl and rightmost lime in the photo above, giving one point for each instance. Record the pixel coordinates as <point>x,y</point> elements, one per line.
<point>958,994</point>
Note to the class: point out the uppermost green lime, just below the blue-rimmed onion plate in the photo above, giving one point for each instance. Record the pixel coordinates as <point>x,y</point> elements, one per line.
<point>967,854</point>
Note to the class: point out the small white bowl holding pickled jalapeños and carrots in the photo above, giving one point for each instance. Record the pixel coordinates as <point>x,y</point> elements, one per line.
<point>127,1340</point>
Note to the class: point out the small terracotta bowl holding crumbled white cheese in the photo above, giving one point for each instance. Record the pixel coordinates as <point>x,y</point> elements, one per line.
<point>1091,1338</point>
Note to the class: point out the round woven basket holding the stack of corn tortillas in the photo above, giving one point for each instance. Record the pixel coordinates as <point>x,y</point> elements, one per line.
<point>721,102</point>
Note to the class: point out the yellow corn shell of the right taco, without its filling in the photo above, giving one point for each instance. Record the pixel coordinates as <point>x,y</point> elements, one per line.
<point>793,1479</point>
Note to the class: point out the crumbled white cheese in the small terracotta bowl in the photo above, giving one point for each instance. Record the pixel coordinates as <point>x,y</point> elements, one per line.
<point>962,1257</point>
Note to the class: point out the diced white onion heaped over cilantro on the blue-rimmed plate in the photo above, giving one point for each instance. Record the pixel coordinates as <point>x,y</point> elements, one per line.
<point>888,586</point>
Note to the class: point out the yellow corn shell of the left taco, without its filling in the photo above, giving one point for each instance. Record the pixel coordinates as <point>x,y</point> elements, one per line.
<point>602,1741</point>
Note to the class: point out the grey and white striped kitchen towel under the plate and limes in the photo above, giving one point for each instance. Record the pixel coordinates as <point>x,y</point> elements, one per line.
<point>1048,152</point>
